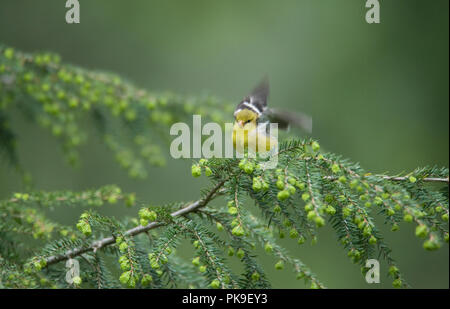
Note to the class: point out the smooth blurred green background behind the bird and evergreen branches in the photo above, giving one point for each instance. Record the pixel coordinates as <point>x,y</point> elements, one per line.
<point>378,94</point>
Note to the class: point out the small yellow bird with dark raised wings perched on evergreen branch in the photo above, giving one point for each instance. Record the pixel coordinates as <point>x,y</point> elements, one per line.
<point>252,119</point>
